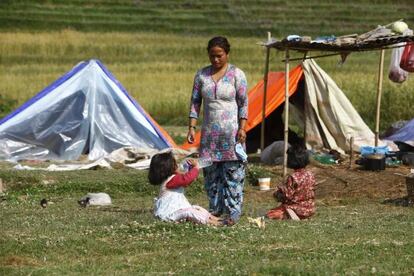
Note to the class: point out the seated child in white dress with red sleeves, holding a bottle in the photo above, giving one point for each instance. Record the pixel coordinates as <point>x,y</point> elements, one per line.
<point>171,204</point>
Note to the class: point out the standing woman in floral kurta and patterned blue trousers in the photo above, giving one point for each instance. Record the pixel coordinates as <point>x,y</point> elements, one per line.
<point>222,88</point>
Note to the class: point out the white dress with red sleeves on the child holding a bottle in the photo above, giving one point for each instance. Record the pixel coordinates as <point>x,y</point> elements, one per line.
<point>172,205</point>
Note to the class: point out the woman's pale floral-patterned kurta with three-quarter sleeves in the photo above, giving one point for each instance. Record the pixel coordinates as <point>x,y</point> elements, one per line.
<point>224,104</point>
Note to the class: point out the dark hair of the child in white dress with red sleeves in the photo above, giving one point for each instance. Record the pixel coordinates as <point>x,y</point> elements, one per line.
<point>162,166</point>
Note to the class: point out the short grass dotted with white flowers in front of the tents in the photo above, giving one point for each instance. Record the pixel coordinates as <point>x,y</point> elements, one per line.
<point>346,236</point>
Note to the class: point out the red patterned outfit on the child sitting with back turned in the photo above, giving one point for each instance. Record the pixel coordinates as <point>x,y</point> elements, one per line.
<point>298,194</point>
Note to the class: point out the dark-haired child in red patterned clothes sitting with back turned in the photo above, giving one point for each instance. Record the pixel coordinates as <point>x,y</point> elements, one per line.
<point>297,194</point>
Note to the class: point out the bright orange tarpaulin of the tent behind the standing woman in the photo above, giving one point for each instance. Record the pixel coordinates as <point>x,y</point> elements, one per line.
<point>274,98</point>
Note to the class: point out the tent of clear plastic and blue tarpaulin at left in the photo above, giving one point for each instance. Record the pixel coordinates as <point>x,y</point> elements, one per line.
<point>86,111</point>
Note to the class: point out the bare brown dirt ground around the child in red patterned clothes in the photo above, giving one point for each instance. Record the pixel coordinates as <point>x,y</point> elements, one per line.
<point>337,182</point>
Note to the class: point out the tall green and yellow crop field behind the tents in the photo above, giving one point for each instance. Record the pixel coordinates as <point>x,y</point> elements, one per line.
<point>155,47</point>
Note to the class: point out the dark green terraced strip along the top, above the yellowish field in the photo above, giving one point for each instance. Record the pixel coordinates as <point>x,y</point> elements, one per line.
<point>247,18</point>
